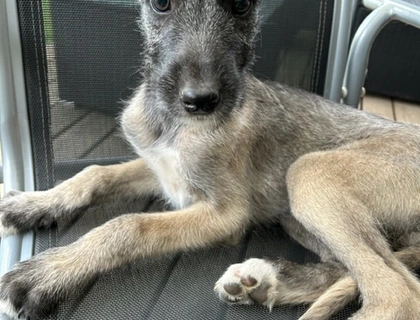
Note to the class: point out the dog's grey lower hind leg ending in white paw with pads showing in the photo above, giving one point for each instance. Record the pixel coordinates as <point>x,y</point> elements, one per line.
<point>277,282</point>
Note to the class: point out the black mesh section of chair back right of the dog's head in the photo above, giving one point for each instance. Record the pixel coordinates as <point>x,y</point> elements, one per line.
<point>293,43</point>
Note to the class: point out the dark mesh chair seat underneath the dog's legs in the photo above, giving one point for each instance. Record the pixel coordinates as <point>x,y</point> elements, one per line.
<point>178,286</point>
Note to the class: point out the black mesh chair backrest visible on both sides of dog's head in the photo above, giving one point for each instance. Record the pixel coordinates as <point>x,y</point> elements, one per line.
<point>82,59</point>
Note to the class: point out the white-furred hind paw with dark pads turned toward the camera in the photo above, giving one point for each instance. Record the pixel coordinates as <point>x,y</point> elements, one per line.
<point>253,281</point>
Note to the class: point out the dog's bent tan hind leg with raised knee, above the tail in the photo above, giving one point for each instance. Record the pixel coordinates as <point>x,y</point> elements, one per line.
<point>328,206</point>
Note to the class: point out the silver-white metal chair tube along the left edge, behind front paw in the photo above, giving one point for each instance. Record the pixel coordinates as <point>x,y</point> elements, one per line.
<point>14,130</point>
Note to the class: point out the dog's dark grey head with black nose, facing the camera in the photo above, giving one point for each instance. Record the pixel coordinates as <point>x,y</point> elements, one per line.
<point>197,52</point>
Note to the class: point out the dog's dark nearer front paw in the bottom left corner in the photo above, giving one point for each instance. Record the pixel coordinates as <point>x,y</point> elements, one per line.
<point>34,287</point>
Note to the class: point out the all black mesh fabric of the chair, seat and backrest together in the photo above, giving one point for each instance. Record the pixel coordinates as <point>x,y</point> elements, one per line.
<point>81,60</point>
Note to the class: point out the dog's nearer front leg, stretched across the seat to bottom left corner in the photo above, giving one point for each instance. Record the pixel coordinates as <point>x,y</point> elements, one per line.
<point>34,287</point>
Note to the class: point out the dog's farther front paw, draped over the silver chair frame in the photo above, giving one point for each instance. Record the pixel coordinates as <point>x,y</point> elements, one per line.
<point>22,211</point>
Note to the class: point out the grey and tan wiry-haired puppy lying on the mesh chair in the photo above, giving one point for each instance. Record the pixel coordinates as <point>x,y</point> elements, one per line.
<point>343,183</point>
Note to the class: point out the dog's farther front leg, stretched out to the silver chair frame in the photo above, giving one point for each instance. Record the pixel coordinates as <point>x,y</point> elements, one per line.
<point>22,211</point>
